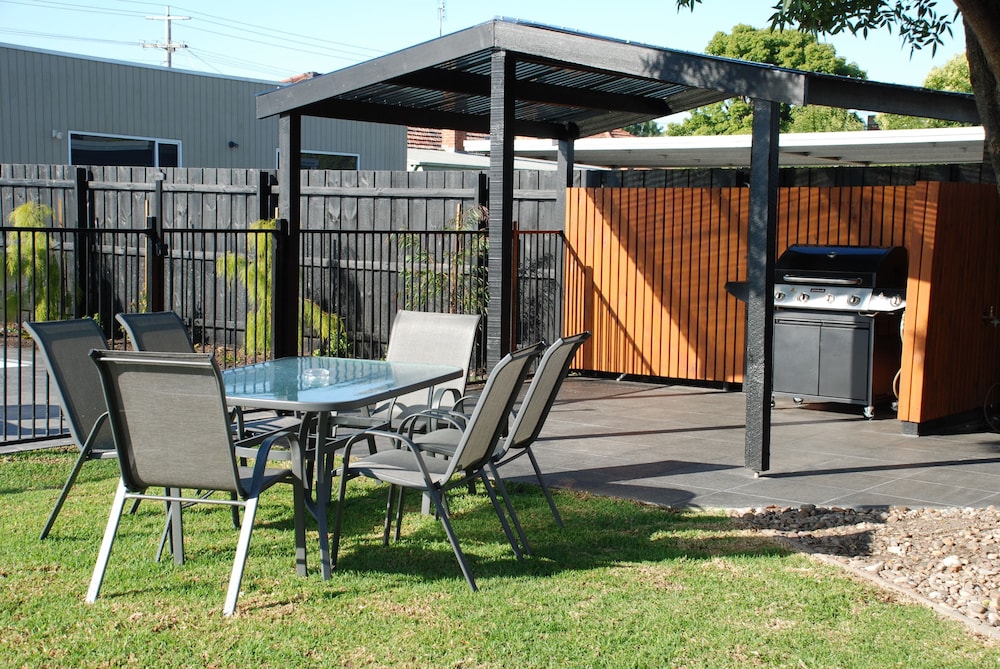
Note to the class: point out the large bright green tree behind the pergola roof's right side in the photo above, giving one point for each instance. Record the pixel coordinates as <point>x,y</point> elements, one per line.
<point>785,48</point>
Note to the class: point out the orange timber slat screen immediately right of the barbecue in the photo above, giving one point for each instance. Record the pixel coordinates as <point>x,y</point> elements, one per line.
<point>950,343</point>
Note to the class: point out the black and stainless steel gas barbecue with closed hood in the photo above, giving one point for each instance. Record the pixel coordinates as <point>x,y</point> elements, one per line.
<point>837,318</point>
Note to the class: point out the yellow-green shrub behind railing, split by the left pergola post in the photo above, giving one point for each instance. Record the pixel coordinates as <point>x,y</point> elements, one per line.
<point>255,270</point>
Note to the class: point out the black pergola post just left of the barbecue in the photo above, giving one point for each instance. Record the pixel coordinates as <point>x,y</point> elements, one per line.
<point>757,382</point>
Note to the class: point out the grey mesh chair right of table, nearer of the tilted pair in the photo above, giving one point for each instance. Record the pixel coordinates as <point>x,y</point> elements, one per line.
<point>406,466</point>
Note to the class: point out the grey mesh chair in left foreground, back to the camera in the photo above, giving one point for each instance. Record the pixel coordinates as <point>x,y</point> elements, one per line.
<point>172,431</point>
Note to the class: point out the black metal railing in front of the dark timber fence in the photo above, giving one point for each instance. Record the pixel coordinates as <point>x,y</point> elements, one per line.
<point>220,281</point>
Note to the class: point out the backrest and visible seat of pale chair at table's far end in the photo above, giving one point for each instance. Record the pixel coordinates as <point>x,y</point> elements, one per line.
<point>442,339</point>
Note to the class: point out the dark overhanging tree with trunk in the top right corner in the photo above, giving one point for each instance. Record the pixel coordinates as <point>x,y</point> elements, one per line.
<point>919,25</point>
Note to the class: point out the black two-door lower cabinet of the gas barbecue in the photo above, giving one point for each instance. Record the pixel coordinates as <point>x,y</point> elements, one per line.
<point>831,356</point>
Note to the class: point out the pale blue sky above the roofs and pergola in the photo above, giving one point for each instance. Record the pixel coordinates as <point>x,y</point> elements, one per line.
<point>273,40</point>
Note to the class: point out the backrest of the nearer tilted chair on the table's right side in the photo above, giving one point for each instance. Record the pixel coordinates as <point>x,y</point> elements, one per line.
<point>489,418</point>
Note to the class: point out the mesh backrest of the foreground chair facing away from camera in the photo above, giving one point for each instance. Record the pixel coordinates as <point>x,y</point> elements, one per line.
<point>168,414</point>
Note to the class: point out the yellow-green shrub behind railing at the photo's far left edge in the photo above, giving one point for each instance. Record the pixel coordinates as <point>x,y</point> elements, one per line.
<point>34,273</point>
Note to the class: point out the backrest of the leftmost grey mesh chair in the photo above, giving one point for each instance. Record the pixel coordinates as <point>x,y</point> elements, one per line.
<point>64,346</point>
